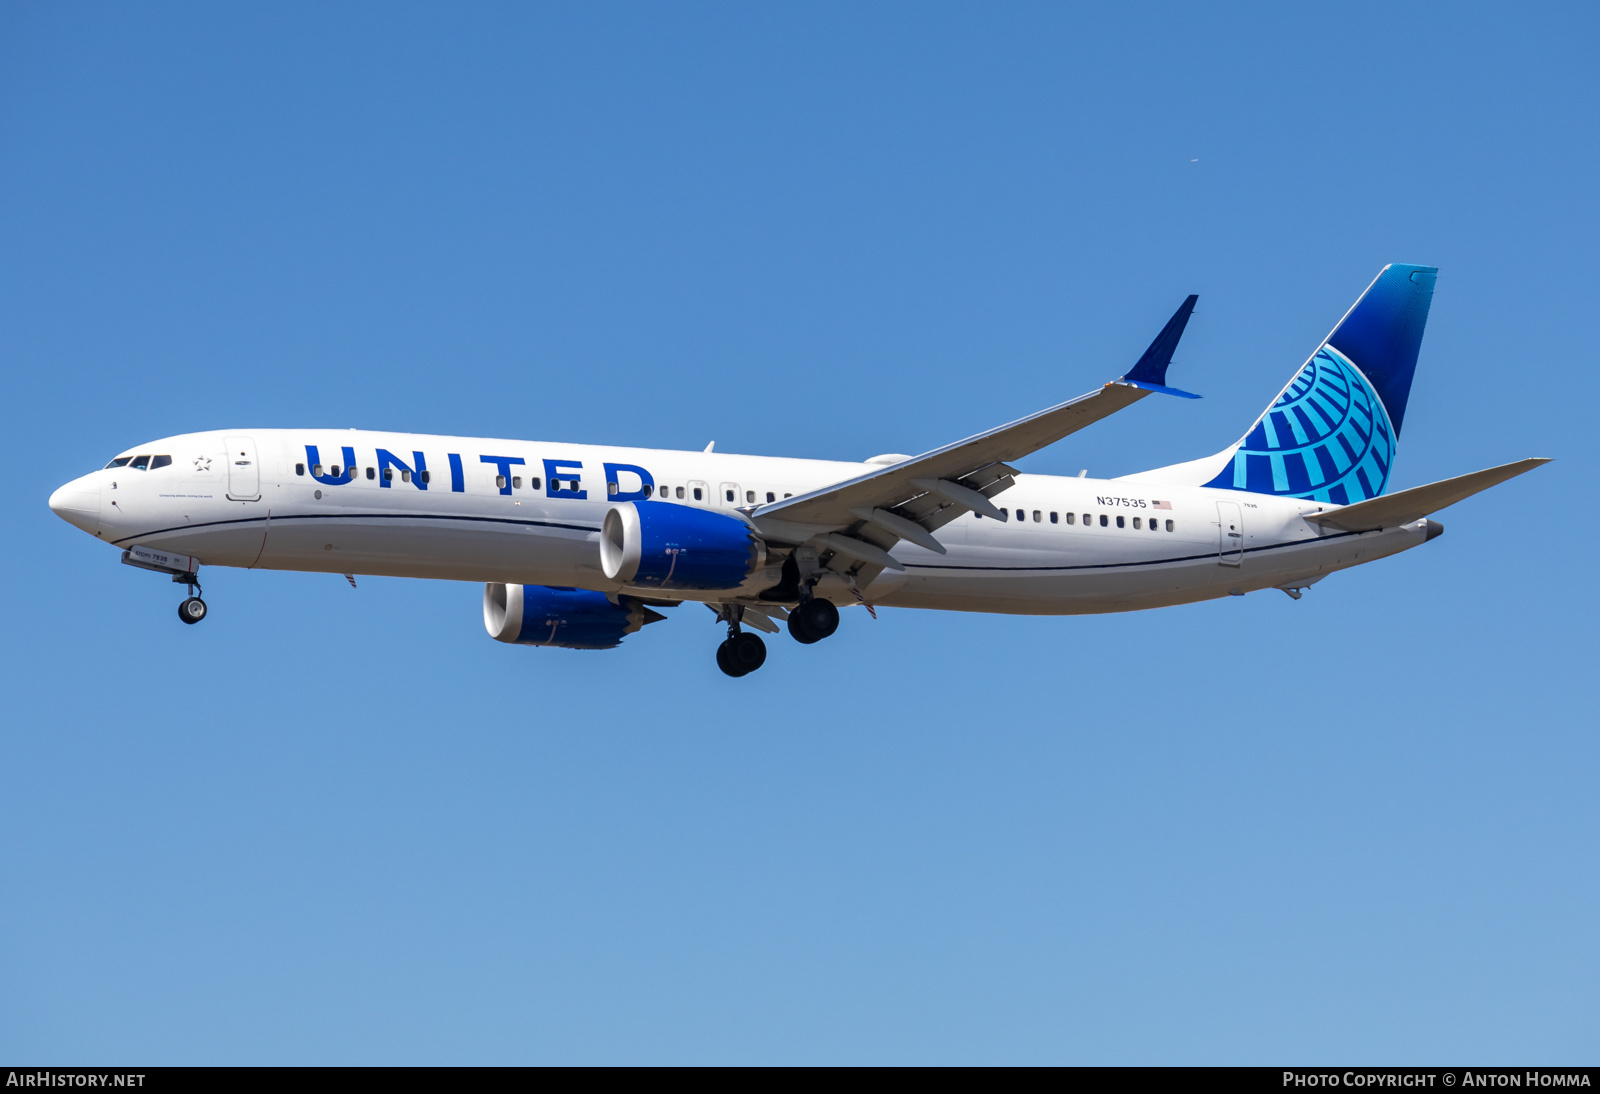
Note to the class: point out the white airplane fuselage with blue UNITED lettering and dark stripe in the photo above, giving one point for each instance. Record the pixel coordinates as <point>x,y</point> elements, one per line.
<point>1070,546</point>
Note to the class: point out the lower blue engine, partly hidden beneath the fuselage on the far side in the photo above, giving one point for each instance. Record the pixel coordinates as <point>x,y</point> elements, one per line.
<point>553,617</point>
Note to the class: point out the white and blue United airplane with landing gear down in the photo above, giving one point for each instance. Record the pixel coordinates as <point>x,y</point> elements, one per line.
<point>580,546</point>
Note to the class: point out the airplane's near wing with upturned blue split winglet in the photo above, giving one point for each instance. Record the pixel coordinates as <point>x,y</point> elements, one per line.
<point>863,517</point>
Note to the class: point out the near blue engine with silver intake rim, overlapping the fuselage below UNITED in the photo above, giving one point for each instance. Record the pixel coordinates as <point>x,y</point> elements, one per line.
<point>665,546</point>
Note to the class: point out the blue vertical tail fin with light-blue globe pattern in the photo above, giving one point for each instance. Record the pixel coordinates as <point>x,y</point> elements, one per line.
<point>1332,434</point>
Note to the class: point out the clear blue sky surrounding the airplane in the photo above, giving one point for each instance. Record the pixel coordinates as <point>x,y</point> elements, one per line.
<point>345,826</point>
